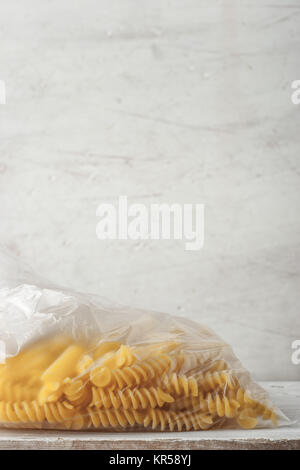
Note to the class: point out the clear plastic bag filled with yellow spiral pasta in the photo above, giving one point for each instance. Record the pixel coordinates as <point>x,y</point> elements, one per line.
<point>72,361</point>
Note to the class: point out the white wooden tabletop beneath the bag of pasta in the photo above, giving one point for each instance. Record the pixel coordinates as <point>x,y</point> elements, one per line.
<point>285,394</point>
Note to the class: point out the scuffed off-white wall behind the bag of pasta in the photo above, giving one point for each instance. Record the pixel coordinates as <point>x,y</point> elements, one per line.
<point>164,101</point>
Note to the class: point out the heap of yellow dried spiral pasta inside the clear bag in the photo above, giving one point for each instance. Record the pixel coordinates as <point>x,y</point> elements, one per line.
<point>61,384</point>
